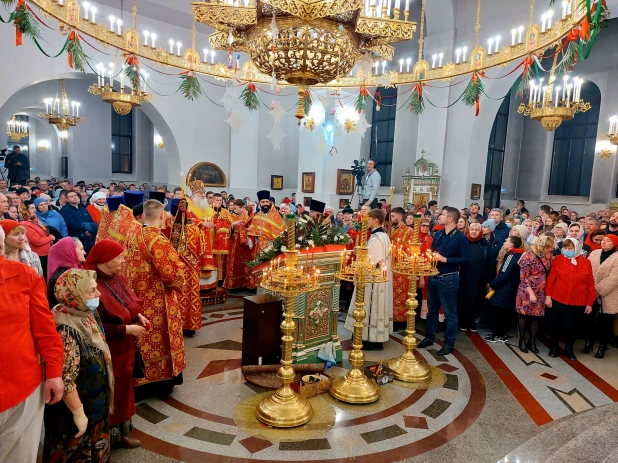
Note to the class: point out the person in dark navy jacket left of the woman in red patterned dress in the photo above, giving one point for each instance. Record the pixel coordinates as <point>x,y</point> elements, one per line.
<point>501,304</point>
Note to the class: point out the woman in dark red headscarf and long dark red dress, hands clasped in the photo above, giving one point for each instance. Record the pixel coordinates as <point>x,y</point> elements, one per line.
<point>119,309</point>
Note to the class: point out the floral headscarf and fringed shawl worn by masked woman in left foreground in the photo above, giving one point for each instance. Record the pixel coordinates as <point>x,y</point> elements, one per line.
<point>73,315</point>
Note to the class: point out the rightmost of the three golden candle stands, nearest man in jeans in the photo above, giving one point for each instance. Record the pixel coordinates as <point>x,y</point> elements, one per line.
<point>407,259</point>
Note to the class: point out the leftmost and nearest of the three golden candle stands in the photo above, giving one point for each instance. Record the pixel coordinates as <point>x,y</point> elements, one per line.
<point>284,408</point>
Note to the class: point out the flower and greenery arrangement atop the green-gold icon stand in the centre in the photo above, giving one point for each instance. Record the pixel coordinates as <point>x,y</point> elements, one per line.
<point>309,234</point>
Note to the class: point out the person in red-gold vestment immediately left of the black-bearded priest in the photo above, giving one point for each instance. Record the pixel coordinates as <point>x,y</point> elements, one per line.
<point>240,250</point>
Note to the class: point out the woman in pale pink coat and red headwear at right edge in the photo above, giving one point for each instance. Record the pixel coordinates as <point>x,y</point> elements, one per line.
<point>604,263</point>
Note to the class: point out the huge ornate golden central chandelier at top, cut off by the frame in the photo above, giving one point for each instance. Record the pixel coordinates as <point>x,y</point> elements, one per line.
<point>306,42</point>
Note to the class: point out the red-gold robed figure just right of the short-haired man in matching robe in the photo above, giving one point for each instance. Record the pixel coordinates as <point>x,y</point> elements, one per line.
<point>191,244</point>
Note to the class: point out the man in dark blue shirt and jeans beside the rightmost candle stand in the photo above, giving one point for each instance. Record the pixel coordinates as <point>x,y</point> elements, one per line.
<point>453,251</point>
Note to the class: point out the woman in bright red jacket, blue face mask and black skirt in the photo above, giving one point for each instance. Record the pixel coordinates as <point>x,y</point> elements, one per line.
<point>569,294</point>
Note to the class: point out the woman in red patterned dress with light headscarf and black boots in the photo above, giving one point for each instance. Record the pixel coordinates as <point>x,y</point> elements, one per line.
<point>534,266</point>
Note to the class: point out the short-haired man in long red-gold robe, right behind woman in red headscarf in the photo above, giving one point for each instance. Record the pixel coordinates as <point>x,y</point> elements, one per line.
<point>156,274</point>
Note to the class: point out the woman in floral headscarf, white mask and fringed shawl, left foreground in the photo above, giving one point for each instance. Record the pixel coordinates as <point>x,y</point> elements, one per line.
<point>77,428</point>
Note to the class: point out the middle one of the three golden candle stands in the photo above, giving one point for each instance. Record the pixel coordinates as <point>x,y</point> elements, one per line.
<point>355,387</point>
